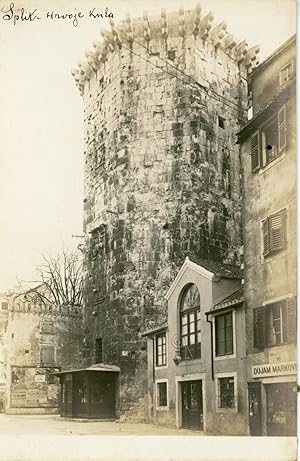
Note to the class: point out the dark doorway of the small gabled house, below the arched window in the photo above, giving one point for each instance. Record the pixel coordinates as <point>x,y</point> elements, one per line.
<point>192,405</point>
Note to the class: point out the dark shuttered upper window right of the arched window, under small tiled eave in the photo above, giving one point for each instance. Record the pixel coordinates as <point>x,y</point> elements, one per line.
<point>224,334</point>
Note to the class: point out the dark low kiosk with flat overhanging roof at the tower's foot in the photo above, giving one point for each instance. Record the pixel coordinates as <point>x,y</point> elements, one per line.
<point>90,392</point>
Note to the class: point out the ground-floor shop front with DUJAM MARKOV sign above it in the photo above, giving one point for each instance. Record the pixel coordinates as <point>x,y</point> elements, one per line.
<point>272,399</point>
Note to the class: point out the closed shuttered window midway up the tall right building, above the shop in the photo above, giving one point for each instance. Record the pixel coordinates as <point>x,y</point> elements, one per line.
<point>274,233</point>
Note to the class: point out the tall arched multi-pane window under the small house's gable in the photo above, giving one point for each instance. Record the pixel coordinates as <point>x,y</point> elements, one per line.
<point>190,323</point>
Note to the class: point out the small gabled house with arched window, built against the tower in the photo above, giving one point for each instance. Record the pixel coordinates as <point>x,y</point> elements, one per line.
<point>196,361</point>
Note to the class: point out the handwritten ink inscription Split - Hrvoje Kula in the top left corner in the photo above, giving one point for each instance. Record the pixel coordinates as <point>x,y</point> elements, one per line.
<point>15,15</point>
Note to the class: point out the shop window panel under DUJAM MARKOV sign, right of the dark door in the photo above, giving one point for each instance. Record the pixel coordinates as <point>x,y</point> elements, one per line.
<point>281,409</point>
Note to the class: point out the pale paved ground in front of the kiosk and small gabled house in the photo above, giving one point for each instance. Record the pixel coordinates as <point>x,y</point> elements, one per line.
<point>47,425</point>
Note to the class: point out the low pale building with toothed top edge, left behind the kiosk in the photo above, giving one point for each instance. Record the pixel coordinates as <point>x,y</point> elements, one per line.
<point>41,339</point>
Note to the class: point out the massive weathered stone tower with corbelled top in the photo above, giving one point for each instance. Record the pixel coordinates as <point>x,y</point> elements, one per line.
<point>163,100</point>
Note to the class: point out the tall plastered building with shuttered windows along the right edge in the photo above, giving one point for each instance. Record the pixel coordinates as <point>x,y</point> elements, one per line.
<point>268,154</point>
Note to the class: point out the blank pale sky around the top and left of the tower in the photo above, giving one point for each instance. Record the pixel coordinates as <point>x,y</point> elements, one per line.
<point>41,114</point>
